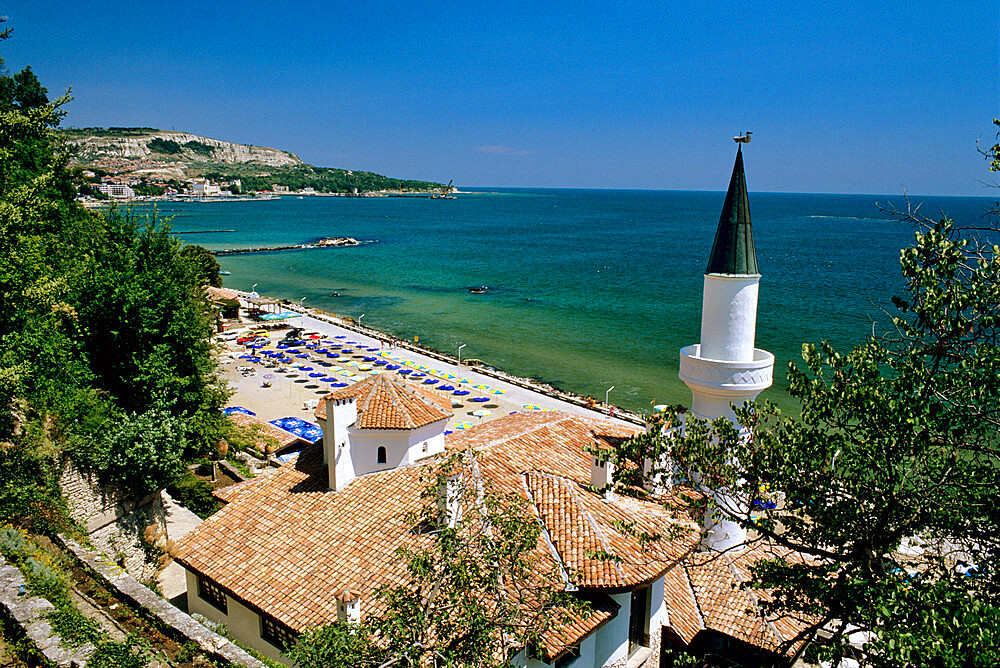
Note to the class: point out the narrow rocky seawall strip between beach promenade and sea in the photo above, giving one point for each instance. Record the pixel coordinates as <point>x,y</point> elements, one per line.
<point>534,386</point>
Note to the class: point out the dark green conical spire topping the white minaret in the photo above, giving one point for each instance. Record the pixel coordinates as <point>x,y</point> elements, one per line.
<point>732,252</point>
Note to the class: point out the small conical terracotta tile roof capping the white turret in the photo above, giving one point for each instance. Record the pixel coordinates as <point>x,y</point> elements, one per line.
<point>385,402</point>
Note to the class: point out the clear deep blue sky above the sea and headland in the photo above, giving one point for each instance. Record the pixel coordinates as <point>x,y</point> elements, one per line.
<point>855,97</point>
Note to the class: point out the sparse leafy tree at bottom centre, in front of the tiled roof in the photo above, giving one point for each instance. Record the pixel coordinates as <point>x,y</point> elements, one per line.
<point>476,590</point>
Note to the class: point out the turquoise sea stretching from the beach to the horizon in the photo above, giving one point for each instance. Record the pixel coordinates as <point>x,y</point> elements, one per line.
<point>588,289</point>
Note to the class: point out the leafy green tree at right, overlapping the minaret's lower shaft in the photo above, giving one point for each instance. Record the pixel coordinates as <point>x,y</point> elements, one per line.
<point>887,482</point>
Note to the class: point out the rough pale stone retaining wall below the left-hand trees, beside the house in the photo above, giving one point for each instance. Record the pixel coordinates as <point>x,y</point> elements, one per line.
<point>116,523</point>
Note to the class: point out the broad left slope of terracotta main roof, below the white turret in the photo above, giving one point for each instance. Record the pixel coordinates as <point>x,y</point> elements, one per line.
<point>286,545</point>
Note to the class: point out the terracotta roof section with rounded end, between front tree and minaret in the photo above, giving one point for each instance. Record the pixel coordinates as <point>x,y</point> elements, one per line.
<point>596,540</point>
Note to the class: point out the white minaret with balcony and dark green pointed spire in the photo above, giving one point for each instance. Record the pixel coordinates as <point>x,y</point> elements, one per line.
<point>725,368</point>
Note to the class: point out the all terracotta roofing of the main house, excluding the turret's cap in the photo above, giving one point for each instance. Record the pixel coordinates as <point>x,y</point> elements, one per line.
<point>287,545</point>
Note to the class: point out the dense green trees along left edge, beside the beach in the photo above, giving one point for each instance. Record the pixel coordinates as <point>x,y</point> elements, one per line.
<point>104,324</point>
